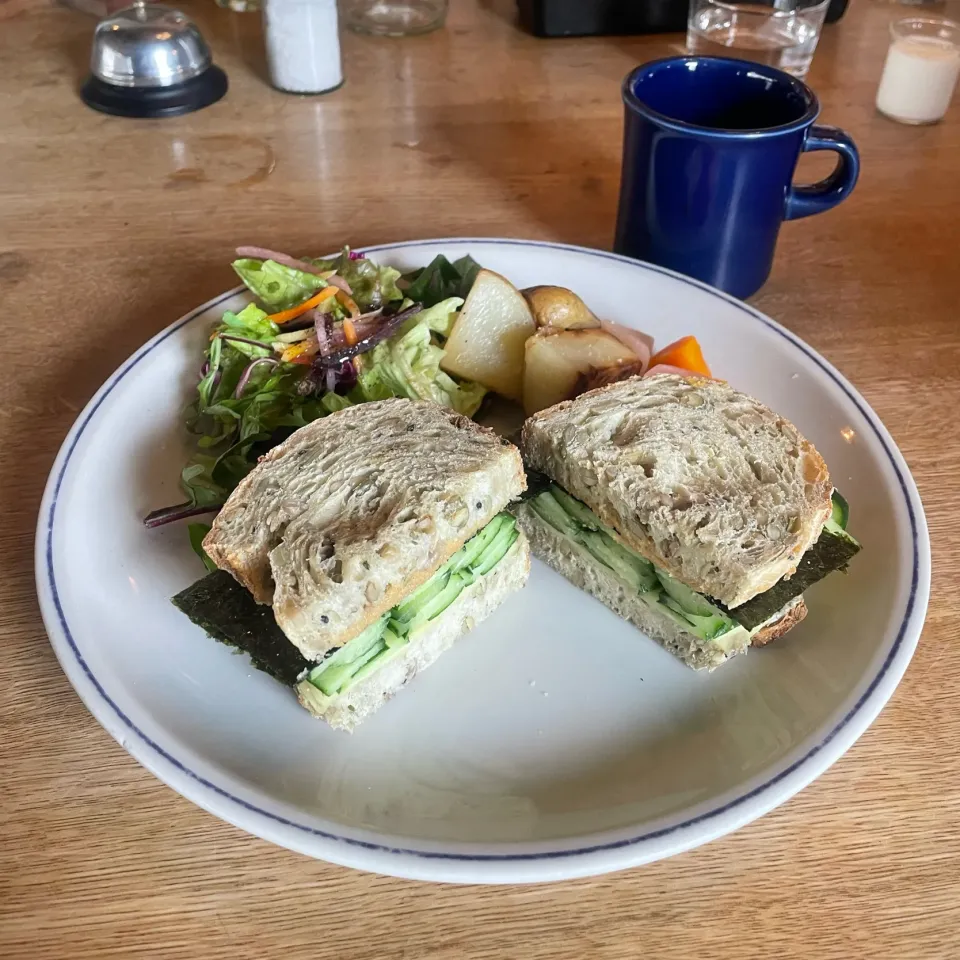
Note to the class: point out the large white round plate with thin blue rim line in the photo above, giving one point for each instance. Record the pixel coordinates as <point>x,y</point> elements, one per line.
<point>553,741</point>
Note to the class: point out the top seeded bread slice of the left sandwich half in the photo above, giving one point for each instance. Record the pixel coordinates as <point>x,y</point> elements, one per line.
<point>354,511</point>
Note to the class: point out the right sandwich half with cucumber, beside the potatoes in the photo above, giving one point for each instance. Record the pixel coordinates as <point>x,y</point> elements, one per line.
<point>690,509</point>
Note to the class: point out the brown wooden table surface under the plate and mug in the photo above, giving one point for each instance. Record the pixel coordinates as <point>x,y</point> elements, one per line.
<point>113,228</point>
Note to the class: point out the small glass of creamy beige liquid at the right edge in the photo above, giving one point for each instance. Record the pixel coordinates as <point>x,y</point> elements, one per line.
<point>920,73</point>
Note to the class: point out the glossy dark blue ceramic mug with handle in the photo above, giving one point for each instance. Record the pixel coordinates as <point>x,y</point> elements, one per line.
<point>709,150</point>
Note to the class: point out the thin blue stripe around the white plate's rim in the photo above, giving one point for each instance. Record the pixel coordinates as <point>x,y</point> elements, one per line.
<point>493,857</point>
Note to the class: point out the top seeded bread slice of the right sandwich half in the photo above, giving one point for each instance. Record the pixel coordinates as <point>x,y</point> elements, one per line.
<point>704,481</point>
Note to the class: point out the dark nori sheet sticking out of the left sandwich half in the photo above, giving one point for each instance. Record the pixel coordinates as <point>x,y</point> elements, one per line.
<point>228,613</point>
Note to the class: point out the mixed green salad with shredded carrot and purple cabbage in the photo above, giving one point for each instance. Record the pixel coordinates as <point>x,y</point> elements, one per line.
<point>319,335</point>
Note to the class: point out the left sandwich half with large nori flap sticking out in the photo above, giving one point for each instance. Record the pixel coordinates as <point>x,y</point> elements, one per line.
<point>361,548</point>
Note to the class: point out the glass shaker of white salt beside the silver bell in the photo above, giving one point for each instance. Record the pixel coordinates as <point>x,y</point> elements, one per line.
<point>303,45</point>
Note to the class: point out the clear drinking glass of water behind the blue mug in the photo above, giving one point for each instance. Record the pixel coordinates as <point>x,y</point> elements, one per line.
<point>781,33</point>
